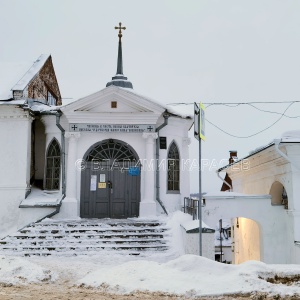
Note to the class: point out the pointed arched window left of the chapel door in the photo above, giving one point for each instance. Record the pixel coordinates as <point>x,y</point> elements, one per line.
<point>53,166</point>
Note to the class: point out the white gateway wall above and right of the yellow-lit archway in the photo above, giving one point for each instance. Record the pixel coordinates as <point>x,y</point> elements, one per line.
<point>272,221</point>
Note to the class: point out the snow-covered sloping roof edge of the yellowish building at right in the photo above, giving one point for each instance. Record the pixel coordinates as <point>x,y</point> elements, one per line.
<point>292,136</point>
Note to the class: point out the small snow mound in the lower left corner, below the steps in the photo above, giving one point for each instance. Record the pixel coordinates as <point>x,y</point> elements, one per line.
<point>15,270</point>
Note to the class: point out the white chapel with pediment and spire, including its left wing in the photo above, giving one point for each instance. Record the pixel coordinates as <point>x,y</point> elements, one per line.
<point>113,154</point>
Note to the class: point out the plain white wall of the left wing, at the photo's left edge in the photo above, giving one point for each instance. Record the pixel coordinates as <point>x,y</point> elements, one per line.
<point>15,134</point>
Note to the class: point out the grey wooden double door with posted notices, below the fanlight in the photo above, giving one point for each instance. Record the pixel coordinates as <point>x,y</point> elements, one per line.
<point>110,192</point>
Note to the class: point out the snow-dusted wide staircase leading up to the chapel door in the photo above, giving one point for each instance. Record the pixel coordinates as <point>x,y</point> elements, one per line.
<point>87,237</point>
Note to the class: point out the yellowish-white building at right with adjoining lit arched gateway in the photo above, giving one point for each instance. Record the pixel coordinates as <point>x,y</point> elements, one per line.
<point>264,202</point>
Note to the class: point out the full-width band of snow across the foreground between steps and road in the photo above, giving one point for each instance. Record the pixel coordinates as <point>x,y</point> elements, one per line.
<point>186,275</point>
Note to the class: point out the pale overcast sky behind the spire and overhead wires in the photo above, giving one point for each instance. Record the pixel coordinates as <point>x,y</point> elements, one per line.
<point>173,51</point>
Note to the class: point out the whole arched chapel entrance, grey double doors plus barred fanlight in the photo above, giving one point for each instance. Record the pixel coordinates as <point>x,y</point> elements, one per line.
<point>110,182</point>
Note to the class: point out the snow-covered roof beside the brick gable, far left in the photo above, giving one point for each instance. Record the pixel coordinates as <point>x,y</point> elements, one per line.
<point>16,75</point>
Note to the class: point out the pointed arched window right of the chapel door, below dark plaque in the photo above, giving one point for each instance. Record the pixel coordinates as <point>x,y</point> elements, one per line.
<point>173,168</point>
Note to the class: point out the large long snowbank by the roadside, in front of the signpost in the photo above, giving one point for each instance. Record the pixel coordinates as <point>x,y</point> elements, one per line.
<point>189,275</point>
